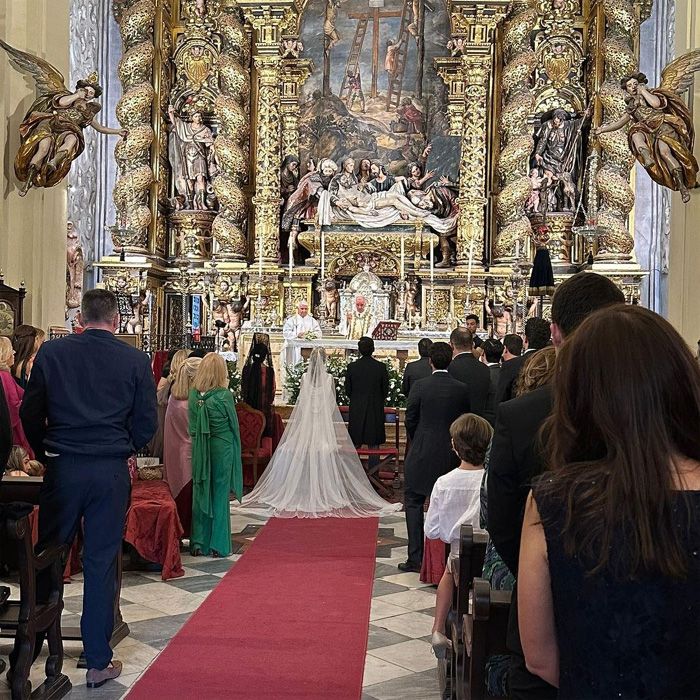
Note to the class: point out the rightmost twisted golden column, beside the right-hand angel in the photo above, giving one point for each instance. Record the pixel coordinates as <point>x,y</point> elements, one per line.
<point>614,26</point>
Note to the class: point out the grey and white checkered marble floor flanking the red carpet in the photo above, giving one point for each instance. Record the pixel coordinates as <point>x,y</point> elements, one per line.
<point>399,664</point>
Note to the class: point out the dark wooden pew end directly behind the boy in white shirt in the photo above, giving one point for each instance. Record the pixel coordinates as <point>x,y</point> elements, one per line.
<point>472,550</point>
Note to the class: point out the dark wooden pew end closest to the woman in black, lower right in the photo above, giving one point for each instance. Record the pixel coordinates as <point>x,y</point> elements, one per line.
<point>484,630</point>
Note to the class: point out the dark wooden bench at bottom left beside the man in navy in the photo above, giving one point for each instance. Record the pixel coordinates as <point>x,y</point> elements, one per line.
<point>26,617</point>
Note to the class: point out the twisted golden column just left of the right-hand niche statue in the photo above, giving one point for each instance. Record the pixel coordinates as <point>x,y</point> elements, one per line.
<point>516,132</point>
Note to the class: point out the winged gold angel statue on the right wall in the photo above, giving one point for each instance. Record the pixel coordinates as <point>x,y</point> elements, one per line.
<point>661,134</point>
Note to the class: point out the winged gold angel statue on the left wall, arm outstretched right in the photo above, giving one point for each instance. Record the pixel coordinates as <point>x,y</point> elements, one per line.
<point>51,134</point>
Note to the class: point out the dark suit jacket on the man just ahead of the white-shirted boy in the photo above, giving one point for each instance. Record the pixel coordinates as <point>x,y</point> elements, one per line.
<point>434,403</point>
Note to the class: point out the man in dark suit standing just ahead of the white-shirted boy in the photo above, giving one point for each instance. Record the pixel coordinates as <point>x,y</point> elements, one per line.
<point>434,403</point>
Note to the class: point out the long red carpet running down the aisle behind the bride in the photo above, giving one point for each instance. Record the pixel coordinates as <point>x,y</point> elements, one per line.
<point>290,620</point>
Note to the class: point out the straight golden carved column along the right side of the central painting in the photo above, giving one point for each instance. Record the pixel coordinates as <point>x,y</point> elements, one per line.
<point>469,77</point>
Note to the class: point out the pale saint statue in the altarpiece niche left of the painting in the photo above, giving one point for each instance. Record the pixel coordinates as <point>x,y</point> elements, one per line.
<point>192,159</point>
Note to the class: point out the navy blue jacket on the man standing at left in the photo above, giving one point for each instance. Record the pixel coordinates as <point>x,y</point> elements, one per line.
<point>90,394</point>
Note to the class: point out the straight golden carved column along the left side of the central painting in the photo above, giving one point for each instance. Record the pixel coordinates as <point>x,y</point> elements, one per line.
<point>267,21</point>
